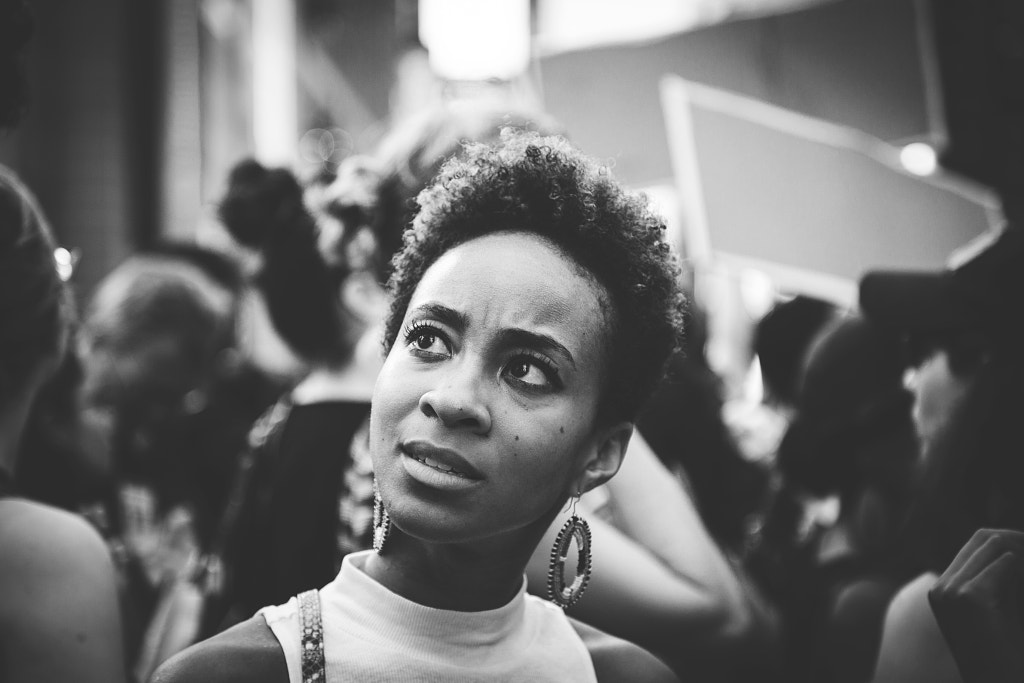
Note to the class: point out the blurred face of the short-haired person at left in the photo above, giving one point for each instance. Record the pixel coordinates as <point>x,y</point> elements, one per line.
<point>148,341</point>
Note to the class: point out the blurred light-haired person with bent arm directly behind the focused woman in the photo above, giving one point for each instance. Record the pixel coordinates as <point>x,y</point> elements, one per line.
<point>665,584</point>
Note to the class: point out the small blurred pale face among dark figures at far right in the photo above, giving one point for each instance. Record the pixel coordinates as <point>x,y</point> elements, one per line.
<point>938,394</point>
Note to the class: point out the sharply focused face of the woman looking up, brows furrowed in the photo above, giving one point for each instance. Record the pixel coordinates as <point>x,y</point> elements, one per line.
<point>485,412</point>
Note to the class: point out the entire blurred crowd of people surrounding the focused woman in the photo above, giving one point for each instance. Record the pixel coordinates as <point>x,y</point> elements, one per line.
<point>160,482</point>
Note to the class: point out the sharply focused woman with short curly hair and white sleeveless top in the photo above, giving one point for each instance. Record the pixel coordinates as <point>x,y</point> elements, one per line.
<point>534,307</point>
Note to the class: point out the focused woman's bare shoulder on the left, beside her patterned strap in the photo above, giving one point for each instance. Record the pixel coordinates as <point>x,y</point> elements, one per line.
<point>247,653</point>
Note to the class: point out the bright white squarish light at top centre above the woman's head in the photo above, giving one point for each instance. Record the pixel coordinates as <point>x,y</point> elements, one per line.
<point>477,40</point>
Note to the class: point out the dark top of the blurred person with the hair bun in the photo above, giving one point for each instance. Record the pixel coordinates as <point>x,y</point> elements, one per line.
<point>286,531</point>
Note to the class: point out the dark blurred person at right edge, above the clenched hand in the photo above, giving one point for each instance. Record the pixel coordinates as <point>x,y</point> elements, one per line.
<point>965,329</point>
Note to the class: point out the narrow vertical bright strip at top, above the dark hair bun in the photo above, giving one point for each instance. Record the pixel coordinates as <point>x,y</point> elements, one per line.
<point>275,81</point>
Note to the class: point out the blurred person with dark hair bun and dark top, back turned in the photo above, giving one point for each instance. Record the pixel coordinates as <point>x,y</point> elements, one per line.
<point>303,496</point>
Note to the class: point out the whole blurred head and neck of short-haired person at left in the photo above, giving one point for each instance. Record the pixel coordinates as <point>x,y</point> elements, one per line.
<point>158,352</point>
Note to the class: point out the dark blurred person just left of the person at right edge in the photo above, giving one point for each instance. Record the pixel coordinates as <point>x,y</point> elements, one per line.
<point>847,461</point>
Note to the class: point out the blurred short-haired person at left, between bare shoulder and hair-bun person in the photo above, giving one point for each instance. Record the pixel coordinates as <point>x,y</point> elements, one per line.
<point>173,400</point>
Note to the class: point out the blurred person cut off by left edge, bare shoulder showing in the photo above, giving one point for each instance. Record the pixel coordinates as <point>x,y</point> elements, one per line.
<point>59,601</point>
